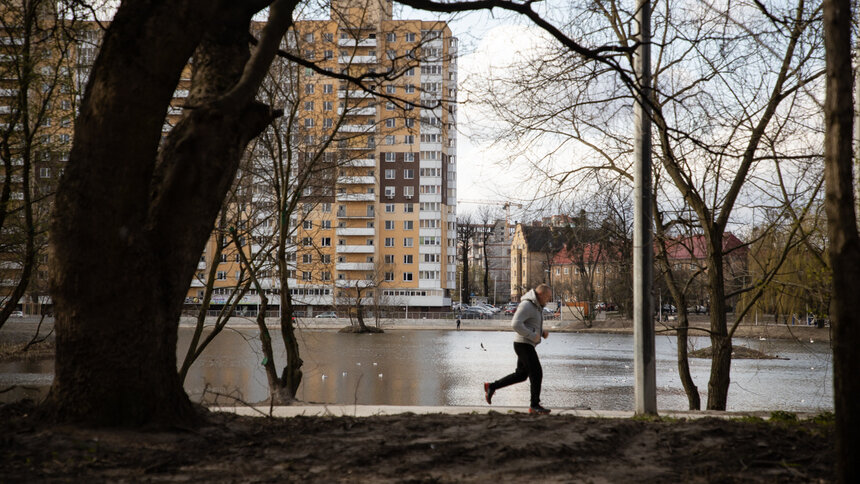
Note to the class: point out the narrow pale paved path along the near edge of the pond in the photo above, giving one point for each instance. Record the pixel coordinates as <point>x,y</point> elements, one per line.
<point>338,410</point>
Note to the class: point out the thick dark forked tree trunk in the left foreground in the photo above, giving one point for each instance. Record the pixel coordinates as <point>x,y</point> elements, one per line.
<point>126,243</point>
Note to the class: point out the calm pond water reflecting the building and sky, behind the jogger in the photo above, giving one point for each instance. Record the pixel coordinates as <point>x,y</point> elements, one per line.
<point>448,368</point>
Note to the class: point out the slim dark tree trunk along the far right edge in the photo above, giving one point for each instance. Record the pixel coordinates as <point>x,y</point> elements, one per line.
<point>844,240</point>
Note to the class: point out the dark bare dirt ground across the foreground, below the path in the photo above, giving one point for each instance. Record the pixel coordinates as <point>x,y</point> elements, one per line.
<point>421,448</point>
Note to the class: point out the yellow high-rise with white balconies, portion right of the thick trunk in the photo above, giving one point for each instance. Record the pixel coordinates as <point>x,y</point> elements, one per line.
<point>375,219</point>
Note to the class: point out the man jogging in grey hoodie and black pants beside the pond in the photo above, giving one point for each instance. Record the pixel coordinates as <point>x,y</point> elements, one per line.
<point>528,324</point>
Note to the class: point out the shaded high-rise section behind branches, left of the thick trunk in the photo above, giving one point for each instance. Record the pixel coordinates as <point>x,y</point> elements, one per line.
<point>40,79</point>
